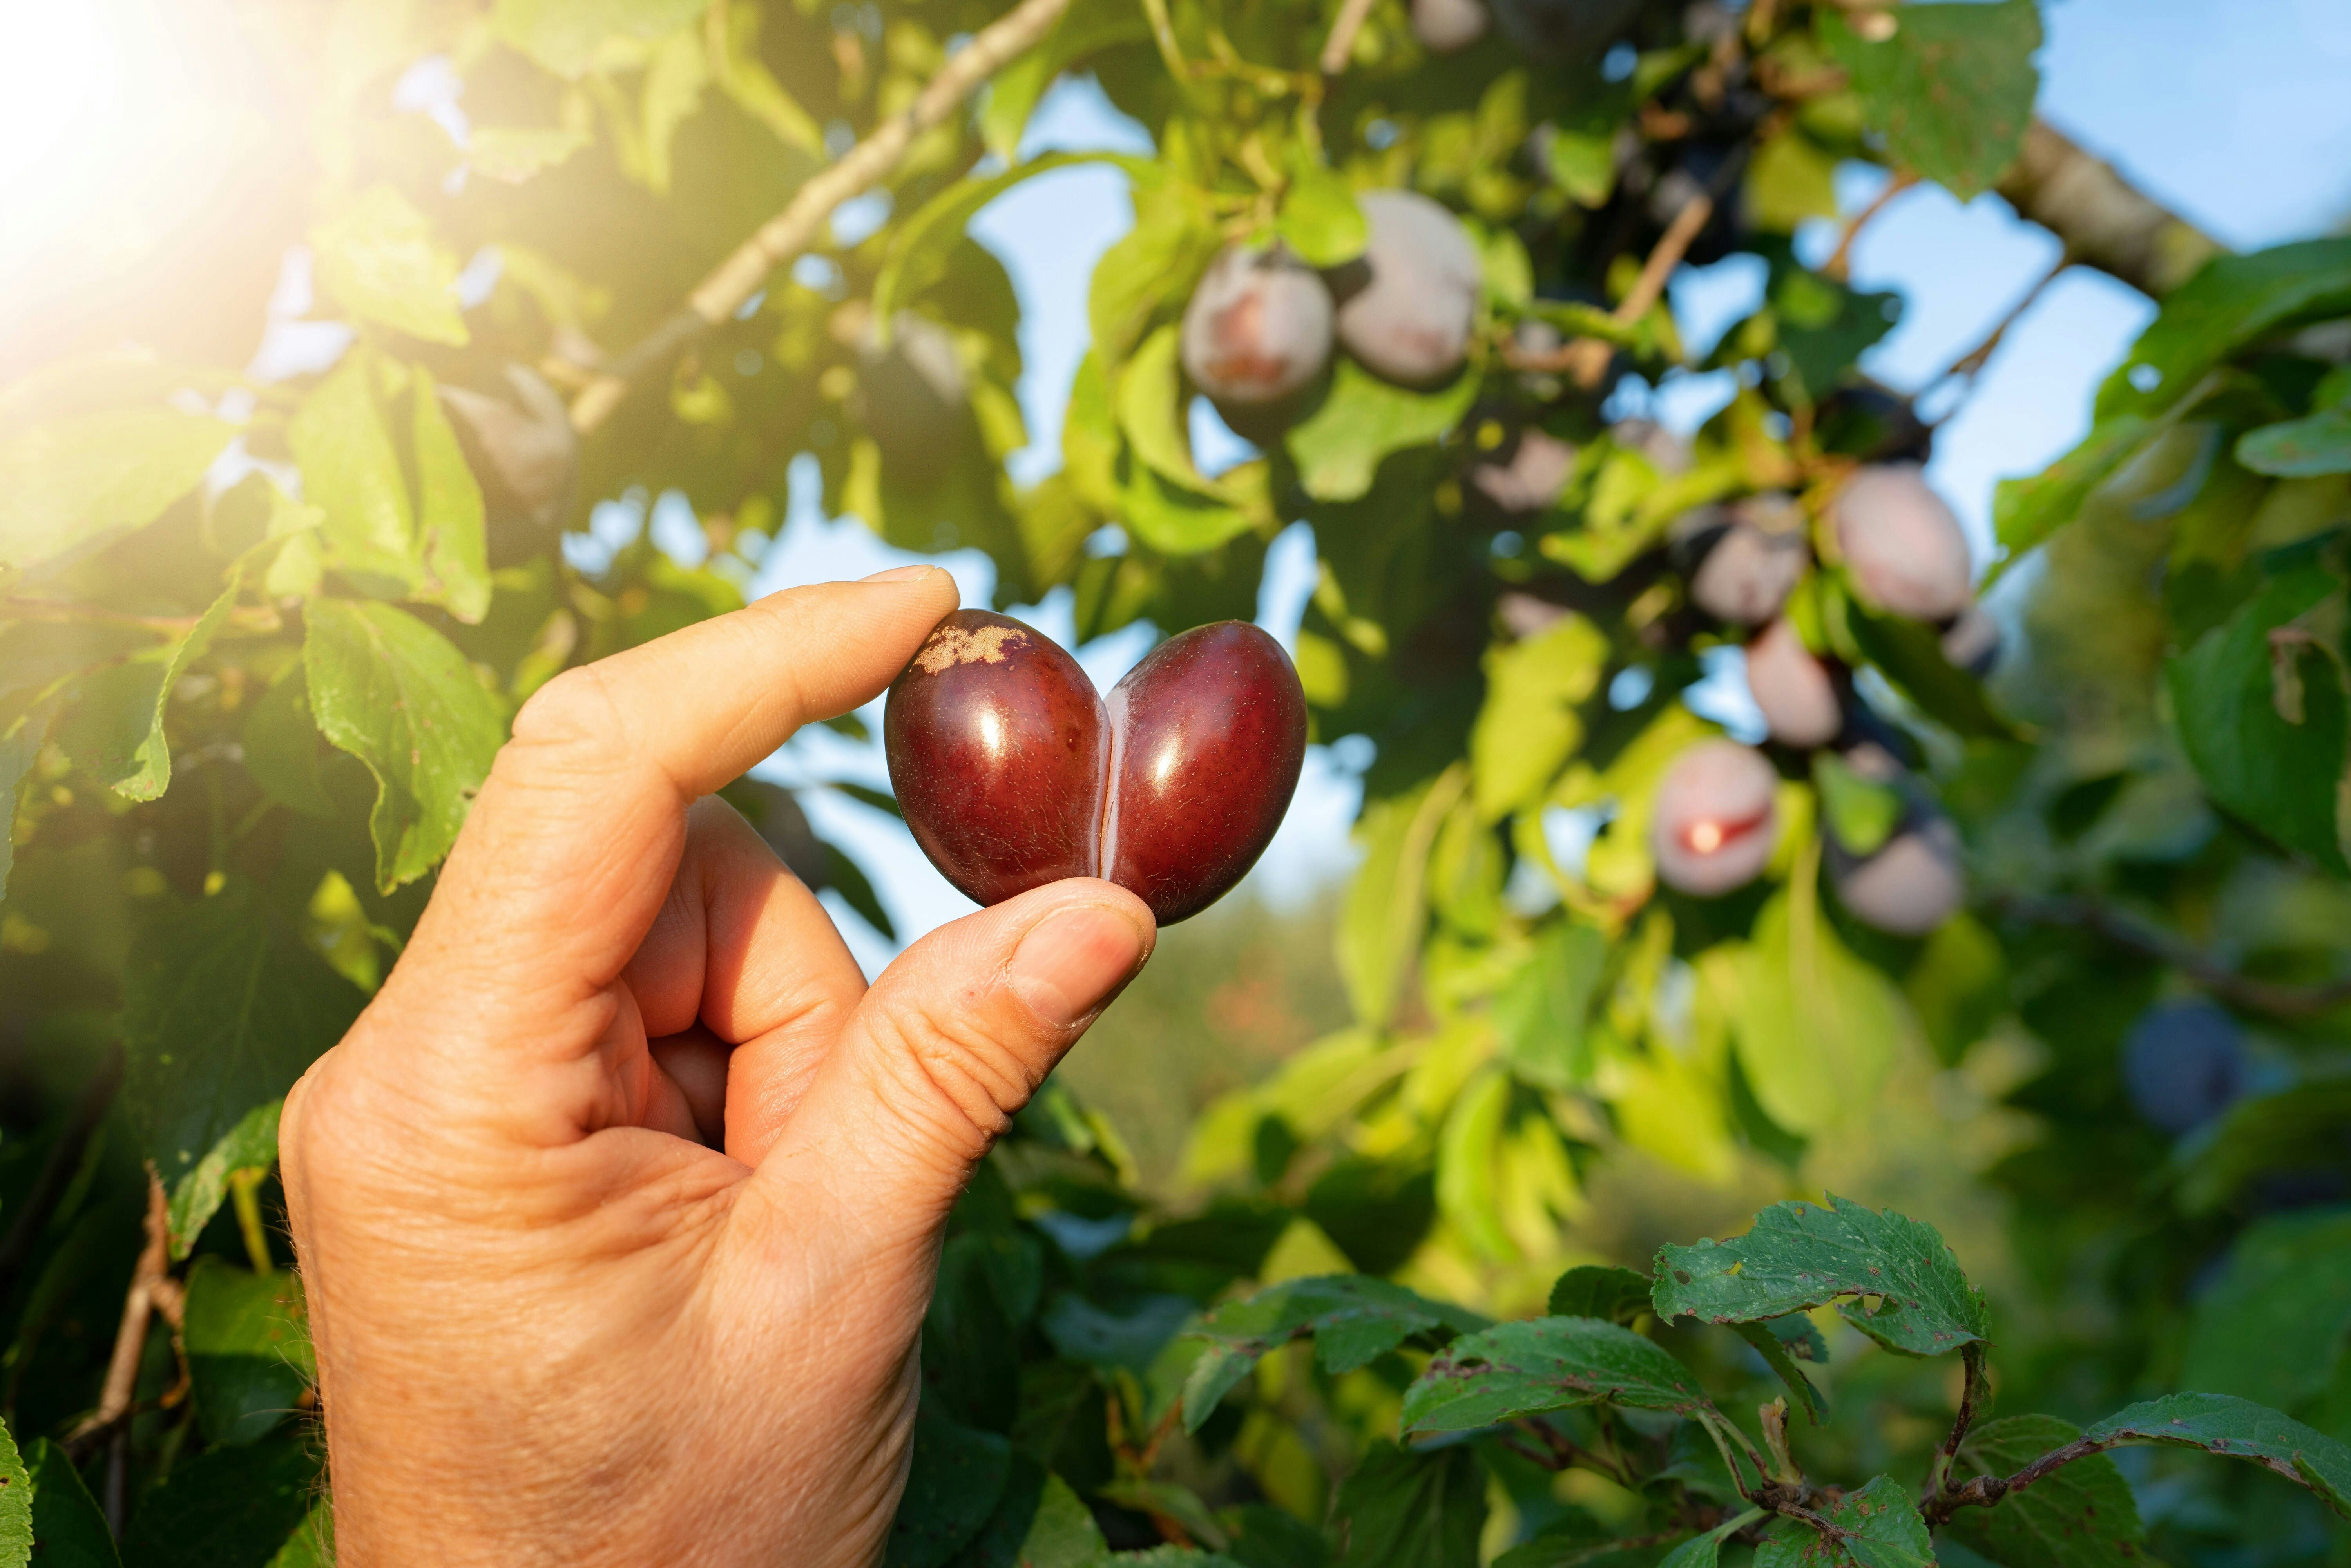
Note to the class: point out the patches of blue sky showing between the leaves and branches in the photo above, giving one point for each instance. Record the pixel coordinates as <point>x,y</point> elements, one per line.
<point>2232,112</point>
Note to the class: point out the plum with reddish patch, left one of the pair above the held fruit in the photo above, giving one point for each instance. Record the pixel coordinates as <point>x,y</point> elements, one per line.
<point>1259,330</point>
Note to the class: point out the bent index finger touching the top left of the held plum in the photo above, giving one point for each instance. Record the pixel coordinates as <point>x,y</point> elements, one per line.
<point>572,840</point>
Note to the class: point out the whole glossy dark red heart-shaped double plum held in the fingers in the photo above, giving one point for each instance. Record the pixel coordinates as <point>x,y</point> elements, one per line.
<point>1014,772</point>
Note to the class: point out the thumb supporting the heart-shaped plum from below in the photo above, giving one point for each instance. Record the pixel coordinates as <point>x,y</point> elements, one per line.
<point>946,1047</point>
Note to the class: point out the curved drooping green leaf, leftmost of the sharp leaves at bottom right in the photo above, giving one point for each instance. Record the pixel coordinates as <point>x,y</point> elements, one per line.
<point>1353,1320</point>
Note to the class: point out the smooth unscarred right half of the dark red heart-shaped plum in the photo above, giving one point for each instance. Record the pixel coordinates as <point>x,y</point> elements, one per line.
<point>1207,742</point>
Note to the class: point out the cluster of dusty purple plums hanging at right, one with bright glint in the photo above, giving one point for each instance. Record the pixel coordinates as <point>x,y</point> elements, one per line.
<point>1715,819</point>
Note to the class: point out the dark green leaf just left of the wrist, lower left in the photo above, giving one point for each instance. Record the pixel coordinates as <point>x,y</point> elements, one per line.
<point>248,1348</point>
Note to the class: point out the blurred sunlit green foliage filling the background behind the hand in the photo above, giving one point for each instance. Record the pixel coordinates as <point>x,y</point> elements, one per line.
<point>262,636</point>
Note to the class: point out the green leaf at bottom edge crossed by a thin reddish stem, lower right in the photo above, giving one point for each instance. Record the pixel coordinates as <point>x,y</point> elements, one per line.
<point>2082,1515</point>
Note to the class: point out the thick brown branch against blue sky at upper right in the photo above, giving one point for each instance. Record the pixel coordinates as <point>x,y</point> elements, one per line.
<point>2101,217</point>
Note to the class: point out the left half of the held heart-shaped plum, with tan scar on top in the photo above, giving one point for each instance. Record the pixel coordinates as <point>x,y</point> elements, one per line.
<point>998,746</point>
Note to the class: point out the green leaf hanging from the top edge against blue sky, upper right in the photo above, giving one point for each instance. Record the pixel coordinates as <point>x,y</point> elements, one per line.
<point>1950,88</point>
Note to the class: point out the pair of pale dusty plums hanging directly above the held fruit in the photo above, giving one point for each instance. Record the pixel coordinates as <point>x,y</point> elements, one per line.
<point>1261,328</point>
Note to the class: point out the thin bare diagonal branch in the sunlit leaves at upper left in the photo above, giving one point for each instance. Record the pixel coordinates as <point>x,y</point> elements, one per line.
<point>789,234</point>
